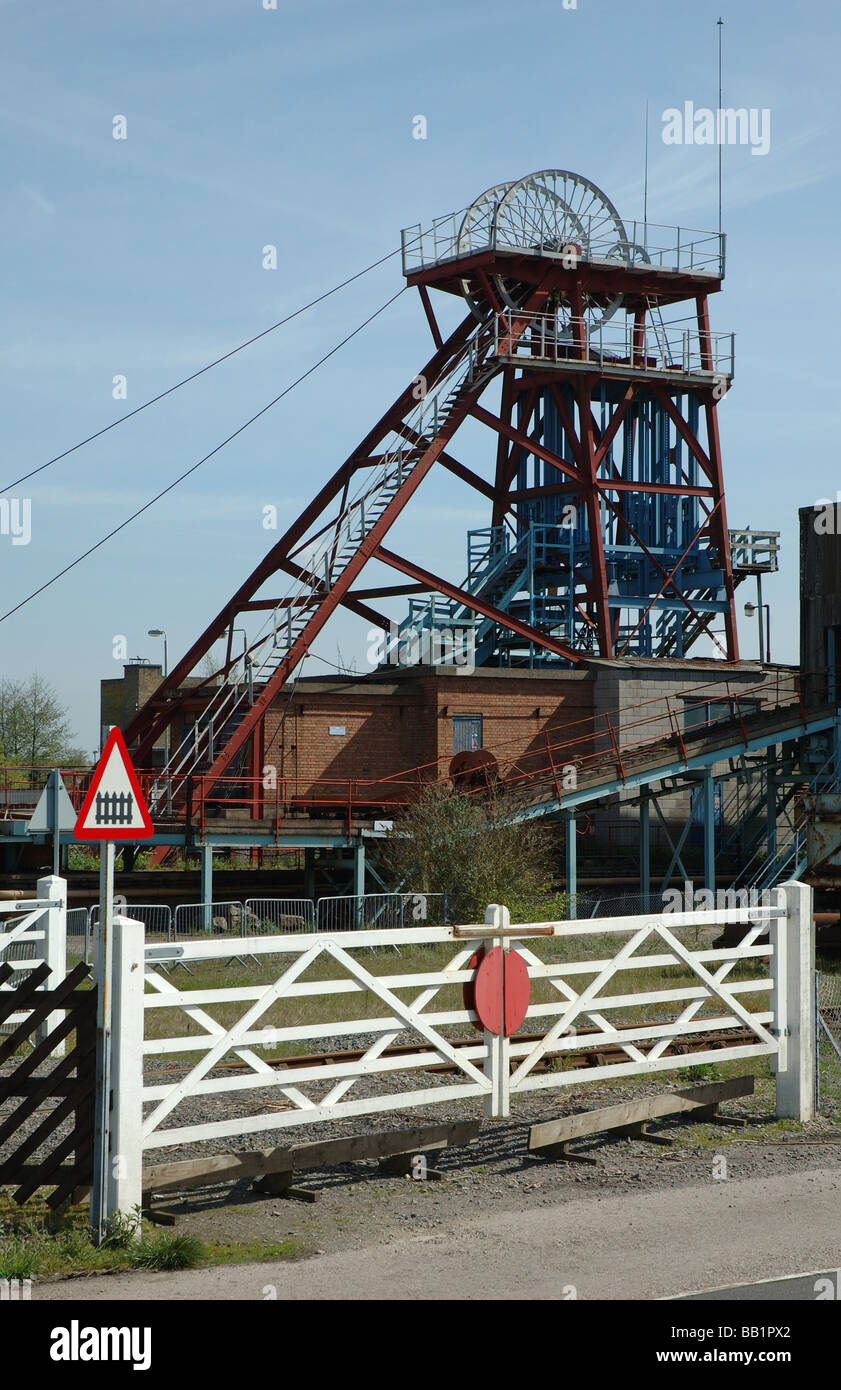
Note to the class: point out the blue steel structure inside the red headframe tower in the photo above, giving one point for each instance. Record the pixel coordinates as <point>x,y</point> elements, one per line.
<point>539,568</point>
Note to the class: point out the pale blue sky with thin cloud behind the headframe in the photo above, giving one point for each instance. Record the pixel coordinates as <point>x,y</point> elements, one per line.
<point>293,127</point>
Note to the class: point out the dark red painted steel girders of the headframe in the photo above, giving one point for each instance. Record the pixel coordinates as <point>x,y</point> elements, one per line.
<point>496,338</point>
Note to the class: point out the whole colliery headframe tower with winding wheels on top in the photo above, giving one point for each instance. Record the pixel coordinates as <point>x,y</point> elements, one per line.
<point>607,528</point>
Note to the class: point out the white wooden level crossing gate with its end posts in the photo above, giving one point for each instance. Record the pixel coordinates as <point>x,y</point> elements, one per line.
<point>594,976</point>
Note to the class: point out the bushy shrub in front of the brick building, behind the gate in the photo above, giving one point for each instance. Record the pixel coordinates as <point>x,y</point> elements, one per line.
<point>473,850</point>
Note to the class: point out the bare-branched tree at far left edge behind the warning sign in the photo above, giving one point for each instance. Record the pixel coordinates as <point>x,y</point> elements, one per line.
<point>34,726</point>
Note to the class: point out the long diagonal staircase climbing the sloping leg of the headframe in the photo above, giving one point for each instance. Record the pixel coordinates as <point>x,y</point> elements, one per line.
<point>323,565</point>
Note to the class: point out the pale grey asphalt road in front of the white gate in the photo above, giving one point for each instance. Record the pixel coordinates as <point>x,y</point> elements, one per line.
<point>657,1245</point>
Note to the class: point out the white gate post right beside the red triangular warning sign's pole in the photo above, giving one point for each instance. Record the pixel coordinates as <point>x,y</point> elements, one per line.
<point>126,1157</point>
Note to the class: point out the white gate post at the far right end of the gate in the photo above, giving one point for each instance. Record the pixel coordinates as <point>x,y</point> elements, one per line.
<point>793,970</point>
